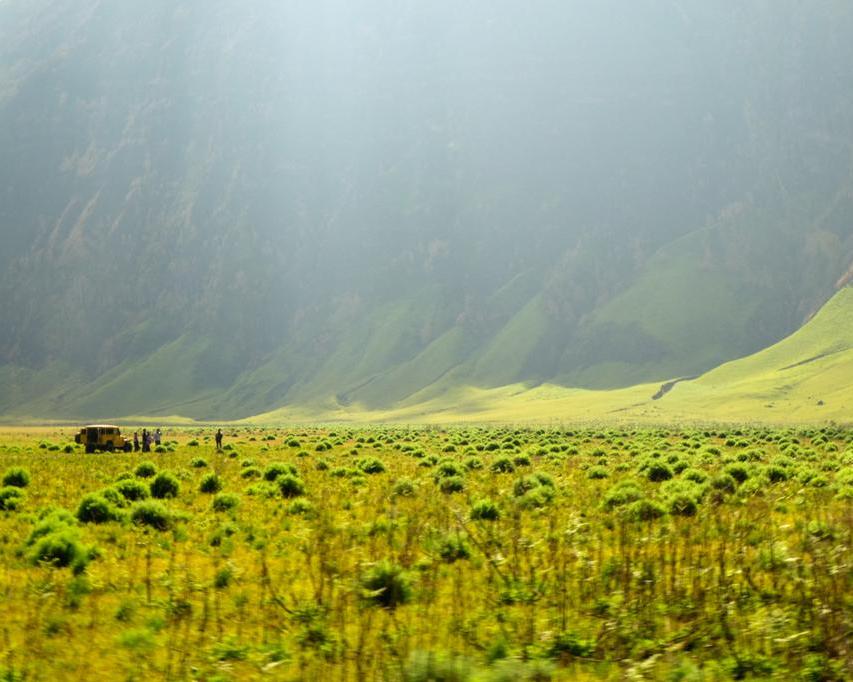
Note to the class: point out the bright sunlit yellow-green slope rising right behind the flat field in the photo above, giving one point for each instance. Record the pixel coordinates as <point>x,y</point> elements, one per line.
<point>805,378</point>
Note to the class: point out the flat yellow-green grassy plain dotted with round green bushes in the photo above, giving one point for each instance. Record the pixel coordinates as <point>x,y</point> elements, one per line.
<point>429,554</point>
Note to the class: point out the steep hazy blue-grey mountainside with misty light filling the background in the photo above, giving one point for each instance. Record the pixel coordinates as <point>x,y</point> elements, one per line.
<point>216,210</point>
